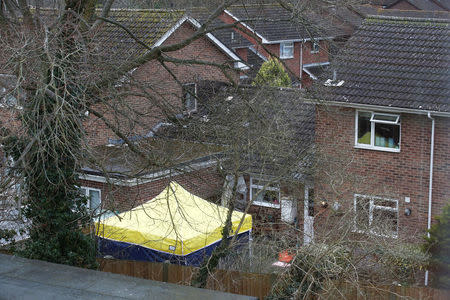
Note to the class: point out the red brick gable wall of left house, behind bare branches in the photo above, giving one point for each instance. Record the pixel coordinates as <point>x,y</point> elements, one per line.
<point>137,115</point>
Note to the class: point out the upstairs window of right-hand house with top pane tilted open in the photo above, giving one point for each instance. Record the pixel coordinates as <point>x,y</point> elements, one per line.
<point>377,131</point>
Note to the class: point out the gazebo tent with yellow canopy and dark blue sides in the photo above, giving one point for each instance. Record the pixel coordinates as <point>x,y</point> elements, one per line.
<point>175,225</point>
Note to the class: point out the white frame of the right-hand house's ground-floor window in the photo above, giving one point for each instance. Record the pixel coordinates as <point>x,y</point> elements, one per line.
<point>372,206</point>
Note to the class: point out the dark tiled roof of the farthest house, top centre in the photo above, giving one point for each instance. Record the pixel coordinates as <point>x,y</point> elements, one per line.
<point>275,23</point>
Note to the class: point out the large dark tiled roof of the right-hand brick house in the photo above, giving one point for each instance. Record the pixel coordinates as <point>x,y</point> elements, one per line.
<point>395,62</point>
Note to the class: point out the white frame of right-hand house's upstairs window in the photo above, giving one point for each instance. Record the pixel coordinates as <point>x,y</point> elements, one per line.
<point>373,121</point>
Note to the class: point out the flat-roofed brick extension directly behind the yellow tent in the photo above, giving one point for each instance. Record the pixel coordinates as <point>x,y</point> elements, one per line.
<point>120,180</point>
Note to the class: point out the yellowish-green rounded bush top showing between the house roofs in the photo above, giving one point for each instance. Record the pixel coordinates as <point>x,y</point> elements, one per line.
<point>272,73</point>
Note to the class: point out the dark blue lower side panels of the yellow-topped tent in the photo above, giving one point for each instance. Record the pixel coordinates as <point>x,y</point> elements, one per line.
<point>127,251</point>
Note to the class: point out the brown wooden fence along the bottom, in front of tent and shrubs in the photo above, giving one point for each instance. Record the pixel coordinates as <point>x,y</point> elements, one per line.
<point>259,285</point>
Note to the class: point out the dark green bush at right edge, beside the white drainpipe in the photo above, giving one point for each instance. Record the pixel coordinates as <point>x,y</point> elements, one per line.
<point>438,245</point>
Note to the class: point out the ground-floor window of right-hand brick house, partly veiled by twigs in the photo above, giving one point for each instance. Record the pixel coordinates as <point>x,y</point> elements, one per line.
<point>376,215</point>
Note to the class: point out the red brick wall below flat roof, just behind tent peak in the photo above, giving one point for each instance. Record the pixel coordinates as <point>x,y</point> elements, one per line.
<point>205,183</point>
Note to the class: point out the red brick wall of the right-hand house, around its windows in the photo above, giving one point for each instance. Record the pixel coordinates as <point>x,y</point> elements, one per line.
<point>388,174</point>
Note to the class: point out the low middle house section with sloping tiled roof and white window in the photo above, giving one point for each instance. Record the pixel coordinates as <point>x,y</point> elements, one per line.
<point>277,195</point>
